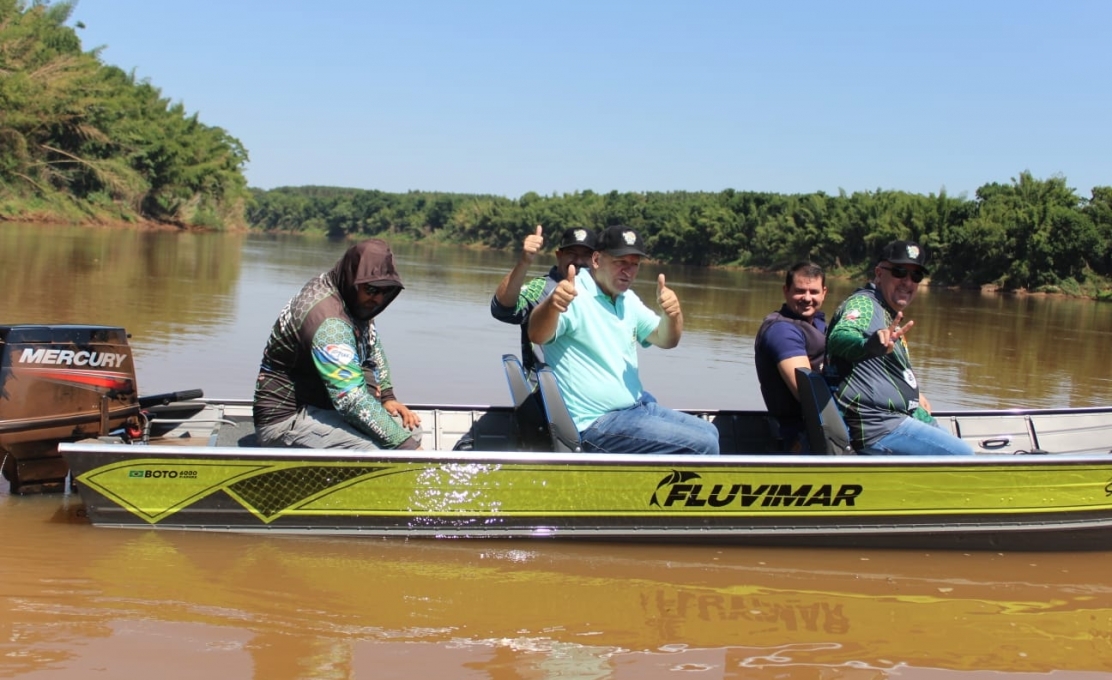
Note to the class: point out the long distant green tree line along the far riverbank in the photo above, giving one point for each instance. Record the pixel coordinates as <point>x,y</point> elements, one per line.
<point>1030,234</point>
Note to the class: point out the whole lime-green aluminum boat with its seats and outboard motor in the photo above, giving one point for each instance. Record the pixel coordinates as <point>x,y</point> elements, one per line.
<point>72,418</point>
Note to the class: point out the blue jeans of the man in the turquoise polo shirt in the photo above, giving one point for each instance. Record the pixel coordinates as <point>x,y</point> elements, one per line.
<point>647,427</point>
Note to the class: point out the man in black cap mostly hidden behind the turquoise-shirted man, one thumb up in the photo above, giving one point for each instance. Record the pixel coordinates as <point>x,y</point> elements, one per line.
<point>512,303</point>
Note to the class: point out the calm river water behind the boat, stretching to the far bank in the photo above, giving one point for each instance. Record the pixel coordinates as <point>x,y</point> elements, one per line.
<point>200,308</point>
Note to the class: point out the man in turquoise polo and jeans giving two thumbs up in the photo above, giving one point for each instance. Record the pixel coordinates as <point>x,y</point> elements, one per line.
<point>591,327</point>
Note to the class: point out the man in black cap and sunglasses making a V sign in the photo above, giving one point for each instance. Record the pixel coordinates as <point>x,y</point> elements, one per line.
<point>869,366</point>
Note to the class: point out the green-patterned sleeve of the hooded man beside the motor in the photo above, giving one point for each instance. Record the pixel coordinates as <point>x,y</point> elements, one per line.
<point>337,363</point>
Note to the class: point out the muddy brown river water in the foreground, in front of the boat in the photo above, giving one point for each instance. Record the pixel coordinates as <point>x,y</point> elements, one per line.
<point>80,601</point>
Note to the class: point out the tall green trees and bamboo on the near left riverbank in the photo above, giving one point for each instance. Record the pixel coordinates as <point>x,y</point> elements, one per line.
<point>85,142</point>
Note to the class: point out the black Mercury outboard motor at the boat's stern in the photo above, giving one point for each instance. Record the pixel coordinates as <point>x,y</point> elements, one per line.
<point>65,384</point>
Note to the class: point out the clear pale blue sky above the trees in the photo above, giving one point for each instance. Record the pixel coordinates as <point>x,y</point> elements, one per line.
<point>509,97</point>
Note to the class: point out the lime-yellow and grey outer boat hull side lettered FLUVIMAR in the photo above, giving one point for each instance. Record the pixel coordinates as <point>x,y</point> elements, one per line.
<point>1000,503</point>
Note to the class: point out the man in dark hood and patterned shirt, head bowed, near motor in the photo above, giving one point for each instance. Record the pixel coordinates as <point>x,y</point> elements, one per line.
<point>325,382</point>
